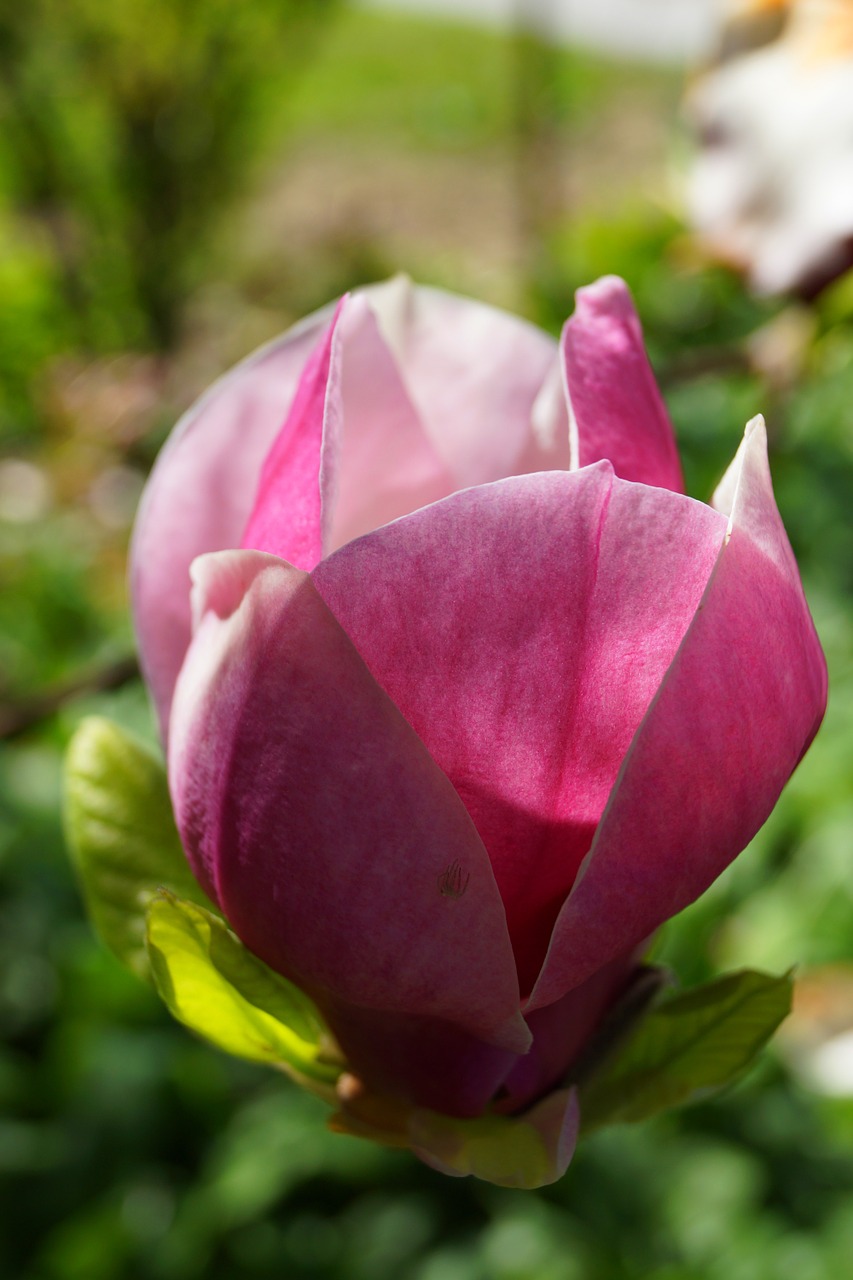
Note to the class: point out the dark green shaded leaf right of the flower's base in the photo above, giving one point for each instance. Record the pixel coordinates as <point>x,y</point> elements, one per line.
<point>691,1045</point>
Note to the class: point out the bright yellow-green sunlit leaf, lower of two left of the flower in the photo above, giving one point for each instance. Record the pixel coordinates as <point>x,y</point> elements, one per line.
<point>217,988</point>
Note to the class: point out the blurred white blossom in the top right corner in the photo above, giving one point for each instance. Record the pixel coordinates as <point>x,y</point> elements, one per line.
<point>772,188</point>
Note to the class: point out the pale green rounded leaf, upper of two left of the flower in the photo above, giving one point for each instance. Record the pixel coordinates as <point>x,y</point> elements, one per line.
<point>122,835</point>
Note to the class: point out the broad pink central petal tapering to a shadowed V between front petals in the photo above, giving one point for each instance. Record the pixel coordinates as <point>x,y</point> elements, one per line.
<point>523,629</point>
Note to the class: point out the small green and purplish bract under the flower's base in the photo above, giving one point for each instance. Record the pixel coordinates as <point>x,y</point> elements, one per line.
<point>524,1153</point>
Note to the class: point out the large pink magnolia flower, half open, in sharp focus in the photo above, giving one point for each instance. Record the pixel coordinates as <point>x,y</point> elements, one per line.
<point>468,698</point>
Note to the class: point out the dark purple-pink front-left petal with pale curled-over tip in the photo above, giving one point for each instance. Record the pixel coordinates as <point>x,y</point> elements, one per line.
<point>314,815</point>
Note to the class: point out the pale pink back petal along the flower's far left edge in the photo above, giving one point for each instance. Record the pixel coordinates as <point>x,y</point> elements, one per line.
<point>202,492</point>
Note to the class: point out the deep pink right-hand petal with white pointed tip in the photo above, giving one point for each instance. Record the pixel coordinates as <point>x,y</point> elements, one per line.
<point>740,706</point>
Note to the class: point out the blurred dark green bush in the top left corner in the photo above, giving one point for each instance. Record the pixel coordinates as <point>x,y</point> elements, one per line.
<point>127,129</point>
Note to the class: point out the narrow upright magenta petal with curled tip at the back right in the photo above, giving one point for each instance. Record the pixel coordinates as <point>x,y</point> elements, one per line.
<point>615,406</point>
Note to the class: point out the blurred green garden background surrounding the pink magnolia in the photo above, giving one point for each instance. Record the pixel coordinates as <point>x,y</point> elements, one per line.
<point>180,181</point>
